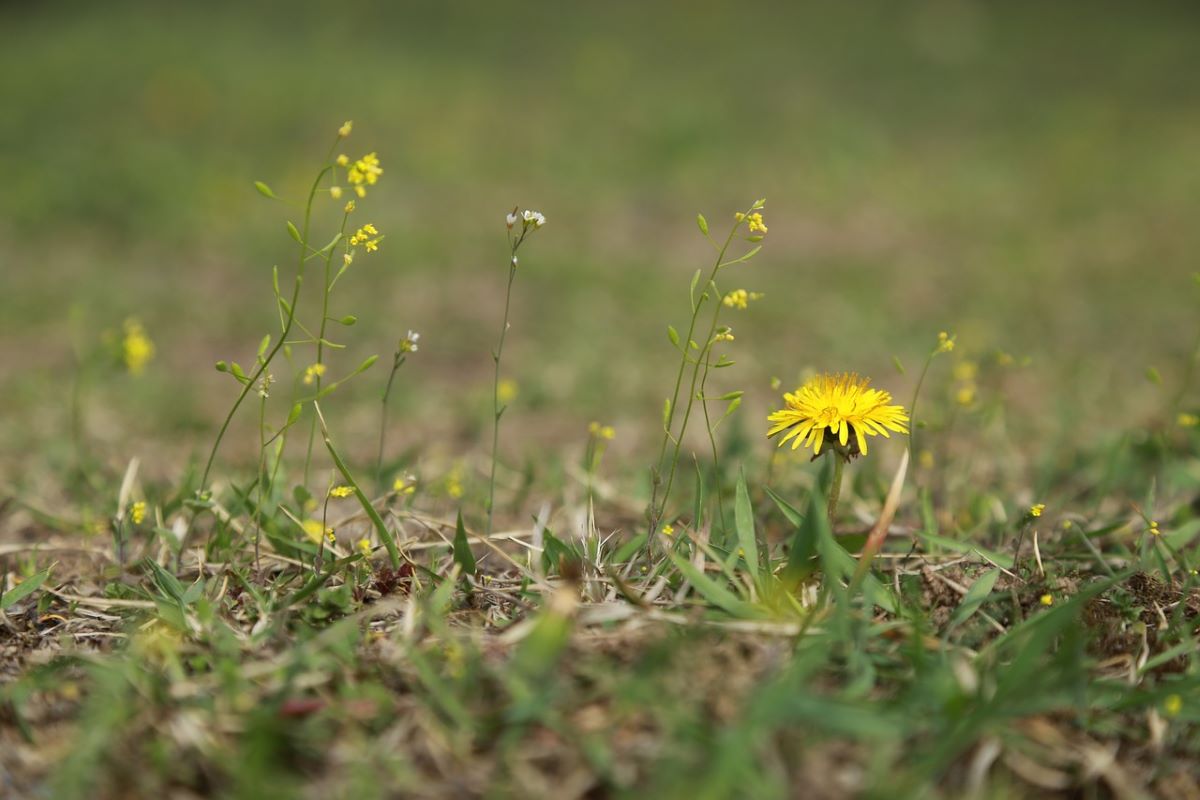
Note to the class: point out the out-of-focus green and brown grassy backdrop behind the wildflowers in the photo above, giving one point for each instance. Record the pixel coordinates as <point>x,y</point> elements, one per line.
<point>1024,175</point>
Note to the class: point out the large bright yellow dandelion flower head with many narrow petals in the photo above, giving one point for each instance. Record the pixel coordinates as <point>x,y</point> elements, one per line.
<point>837,406</point>
